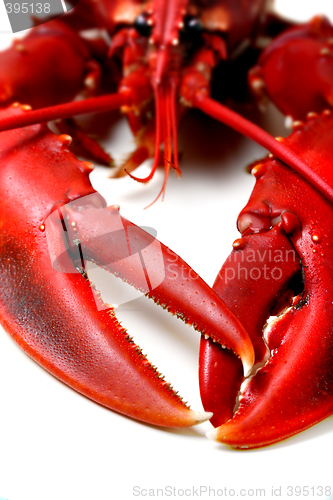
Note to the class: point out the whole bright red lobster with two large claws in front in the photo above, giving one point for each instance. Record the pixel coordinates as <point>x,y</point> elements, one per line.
<point>221,371</point>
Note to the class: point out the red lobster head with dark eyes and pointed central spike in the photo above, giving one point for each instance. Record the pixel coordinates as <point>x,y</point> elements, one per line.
<point>169,51</point>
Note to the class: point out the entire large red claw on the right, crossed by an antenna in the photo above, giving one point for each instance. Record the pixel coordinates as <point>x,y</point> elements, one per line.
<point>293,389</point>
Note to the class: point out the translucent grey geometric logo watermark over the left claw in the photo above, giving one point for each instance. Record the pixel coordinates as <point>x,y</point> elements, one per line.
<point>105,241</point>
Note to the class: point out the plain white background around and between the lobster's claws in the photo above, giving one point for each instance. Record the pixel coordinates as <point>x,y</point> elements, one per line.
<point>55,444</point>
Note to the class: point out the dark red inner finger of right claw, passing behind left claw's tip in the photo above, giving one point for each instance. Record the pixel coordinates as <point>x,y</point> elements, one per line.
<point>254,282</point>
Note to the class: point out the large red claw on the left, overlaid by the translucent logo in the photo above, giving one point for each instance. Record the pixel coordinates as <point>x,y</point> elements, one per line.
<point>54,313</point>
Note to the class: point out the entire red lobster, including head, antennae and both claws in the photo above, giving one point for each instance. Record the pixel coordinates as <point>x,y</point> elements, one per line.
<point>283,240</point>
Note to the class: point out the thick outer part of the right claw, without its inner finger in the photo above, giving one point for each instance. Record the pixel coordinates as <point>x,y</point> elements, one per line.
<point>294,390</point>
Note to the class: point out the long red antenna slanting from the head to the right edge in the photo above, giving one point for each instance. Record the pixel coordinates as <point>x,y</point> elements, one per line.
<point>282,151</point>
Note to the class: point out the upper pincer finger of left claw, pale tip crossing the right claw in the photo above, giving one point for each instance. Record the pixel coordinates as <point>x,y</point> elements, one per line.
<point>114,243</point>
